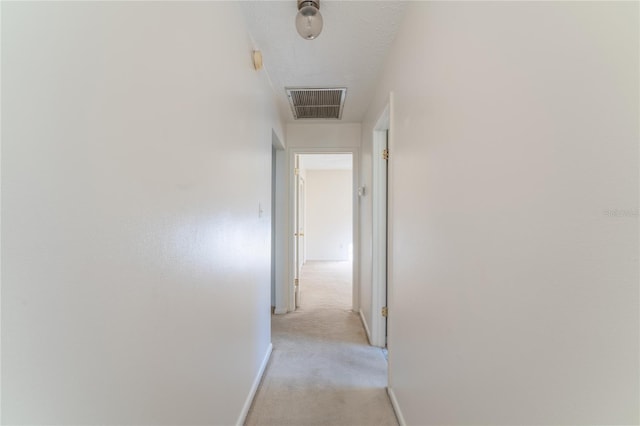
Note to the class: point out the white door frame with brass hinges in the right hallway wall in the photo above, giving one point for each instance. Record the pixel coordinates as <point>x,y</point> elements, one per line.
<point>380,231</point>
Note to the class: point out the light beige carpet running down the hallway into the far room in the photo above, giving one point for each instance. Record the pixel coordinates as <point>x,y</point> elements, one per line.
<point>322,370</point>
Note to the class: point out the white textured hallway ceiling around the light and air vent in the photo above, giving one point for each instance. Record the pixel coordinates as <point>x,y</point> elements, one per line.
<point>349,52</point>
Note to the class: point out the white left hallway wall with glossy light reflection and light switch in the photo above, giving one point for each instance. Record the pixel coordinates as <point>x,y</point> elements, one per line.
<point>136,146</point>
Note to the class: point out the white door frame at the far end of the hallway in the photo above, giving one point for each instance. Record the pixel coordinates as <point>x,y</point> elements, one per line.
<point>355,155</point>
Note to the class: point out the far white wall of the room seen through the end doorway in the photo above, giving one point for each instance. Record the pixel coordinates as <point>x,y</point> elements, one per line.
<point>328,229</point>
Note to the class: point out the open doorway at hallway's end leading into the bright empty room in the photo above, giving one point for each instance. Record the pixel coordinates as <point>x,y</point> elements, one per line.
<point>323,219</point>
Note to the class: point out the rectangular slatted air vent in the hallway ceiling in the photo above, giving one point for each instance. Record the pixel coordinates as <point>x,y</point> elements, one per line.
<point>316,103</point>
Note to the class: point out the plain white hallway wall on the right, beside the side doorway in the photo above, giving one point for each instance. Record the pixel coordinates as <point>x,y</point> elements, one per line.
<point>514,177</point>
